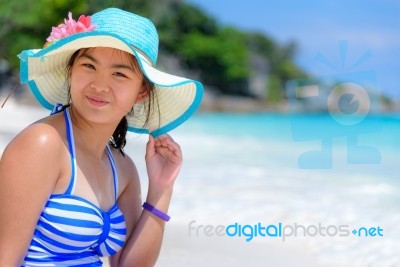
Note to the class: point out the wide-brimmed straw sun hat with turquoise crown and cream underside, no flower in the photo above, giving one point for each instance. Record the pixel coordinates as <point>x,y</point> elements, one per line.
<point>44,70</point>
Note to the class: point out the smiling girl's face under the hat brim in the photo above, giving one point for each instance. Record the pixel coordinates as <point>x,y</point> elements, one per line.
<point>105,84</point>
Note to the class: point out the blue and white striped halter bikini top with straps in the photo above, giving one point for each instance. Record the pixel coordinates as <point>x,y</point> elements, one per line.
<point>72,231</point>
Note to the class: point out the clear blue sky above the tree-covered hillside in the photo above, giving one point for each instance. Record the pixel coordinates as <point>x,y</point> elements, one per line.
<point>350,35</point>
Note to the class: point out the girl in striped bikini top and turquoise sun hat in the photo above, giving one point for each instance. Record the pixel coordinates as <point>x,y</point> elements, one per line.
<point>68,193</point>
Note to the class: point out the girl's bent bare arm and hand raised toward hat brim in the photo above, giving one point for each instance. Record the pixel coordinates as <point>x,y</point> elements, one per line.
<point>163,160</point>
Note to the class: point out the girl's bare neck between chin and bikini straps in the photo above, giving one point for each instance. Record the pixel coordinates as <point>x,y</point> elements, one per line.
<point>90,137</point>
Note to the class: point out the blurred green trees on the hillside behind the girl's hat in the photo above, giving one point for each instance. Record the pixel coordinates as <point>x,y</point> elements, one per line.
<point>221,55</point>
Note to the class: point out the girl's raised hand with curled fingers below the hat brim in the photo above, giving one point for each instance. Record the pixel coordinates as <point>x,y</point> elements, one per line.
<point>163,161</point>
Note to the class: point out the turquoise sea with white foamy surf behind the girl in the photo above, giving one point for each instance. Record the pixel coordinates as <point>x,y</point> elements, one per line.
<point>334,183</point>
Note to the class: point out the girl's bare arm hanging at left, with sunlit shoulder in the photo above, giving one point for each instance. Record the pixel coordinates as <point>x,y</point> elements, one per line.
<point>28,172</point>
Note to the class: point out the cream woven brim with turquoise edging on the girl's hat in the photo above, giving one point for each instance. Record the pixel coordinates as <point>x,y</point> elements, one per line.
<point>44,70</point>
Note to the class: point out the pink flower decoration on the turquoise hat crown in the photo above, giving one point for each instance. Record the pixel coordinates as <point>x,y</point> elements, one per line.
<point>70,27</point>
